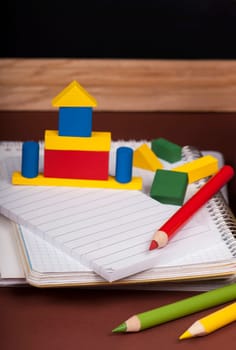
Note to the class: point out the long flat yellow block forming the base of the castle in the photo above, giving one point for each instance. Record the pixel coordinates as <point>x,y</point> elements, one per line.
<point>41,180</point>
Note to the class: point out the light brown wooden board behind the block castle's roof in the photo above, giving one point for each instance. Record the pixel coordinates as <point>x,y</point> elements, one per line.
<point>121,85</point>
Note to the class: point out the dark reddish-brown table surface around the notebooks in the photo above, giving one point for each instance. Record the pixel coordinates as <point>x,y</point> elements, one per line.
<point>74,318</point>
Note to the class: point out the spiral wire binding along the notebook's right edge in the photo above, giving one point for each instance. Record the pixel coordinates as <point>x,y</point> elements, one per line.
<point>218,208</point>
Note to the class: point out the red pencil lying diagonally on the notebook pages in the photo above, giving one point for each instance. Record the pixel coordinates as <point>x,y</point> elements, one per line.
<point>211,187</point>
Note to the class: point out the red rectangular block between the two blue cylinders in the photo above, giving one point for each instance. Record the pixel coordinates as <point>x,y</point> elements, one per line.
<point>90,165</point>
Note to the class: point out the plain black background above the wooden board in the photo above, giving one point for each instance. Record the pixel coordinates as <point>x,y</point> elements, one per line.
<point>164,29</point>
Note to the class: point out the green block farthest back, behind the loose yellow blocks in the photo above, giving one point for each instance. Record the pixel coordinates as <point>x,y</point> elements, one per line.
<point>166,150</point>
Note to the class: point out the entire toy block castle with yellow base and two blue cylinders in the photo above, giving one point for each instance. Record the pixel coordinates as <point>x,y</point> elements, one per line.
<point>74,155</point>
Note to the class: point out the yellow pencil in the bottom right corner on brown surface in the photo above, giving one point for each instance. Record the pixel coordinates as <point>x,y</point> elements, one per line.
<point>211,323</point>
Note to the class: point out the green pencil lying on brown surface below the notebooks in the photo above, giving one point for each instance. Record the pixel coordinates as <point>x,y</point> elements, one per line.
<point>178,309</point>
